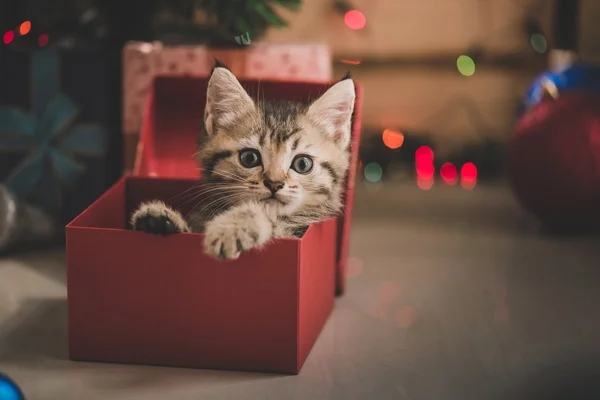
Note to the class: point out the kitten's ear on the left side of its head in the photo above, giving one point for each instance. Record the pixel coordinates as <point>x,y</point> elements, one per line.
<point>226,100</point>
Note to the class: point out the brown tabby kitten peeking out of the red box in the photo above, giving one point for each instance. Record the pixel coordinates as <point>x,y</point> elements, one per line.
<point>277,167</point>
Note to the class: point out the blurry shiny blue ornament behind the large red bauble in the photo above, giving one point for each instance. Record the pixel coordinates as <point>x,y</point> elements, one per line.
<point>574,77</point>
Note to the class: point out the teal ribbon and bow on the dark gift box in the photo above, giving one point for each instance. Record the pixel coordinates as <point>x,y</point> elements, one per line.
<point>50,138</point>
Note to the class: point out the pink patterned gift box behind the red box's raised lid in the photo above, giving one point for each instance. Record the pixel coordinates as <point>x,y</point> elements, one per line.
<point>143,61</point>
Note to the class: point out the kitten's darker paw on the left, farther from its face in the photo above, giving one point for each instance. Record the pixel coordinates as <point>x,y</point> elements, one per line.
<point>157,218</point>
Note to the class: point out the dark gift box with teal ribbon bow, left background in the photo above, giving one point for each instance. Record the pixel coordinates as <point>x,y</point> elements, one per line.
<point>55,119</point>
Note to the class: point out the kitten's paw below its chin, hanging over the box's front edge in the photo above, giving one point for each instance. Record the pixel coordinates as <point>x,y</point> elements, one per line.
<point>228,235</point>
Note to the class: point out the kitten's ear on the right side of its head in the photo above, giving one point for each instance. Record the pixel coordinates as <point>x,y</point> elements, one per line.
<point>333,111</point>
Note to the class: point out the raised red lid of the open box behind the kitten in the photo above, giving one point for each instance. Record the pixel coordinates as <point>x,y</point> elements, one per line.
<point>171,127</point>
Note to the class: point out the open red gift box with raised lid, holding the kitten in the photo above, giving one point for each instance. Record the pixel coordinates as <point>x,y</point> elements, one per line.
<point>144,299</point>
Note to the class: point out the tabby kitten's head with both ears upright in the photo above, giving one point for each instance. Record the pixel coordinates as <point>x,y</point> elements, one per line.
<point>291,156</point>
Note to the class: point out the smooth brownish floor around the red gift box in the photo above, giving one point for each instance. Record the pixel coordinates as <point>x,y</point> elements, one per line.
<point>452,295</point>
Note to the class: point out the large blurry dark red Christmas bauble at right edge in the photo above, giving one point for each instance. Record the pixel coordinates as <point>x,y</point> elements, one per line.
<point>554,160</point>
